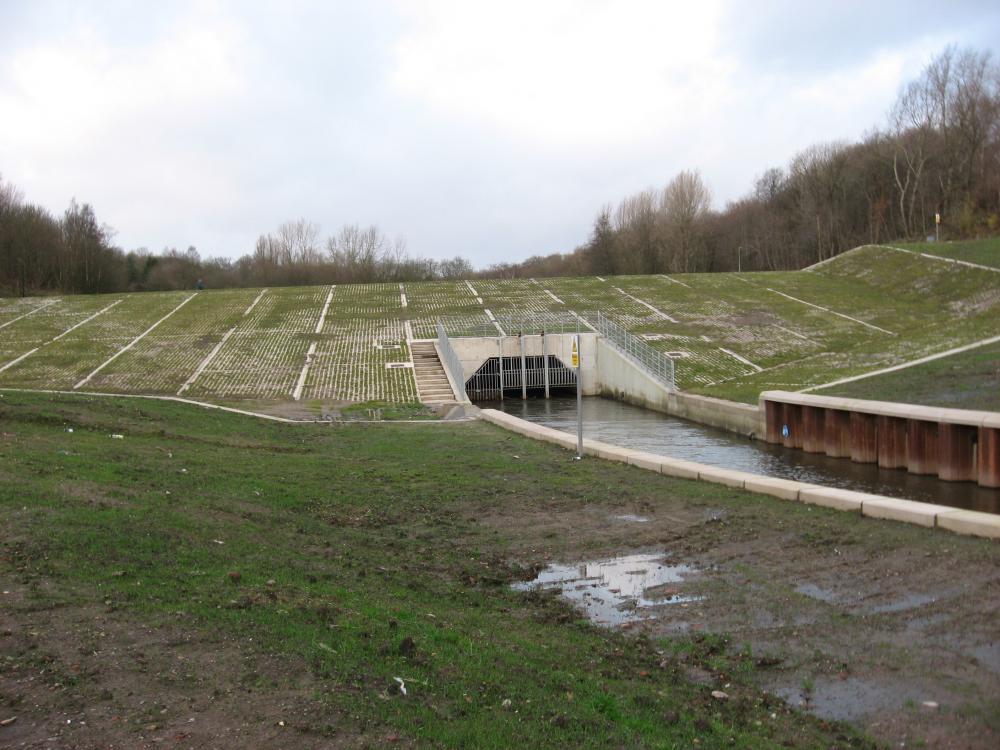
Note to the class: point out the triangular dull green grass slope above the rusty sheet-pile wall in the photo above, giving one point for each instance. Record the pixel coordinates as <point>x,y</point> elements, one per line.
<point>969,380</point>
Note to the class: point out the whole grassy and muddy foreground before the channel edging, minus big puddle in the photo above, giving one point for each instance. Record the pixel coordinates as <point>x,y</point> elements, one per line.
<point>210,579</point>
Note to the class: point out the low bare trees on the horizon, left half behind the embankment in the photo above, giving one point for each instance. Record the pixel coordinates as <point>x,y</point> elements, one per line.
<point>75,254</point>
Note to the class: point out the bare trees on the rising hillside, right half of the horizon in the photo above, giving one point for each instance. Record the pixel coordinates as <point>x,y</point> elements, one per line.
<point>936,154</point>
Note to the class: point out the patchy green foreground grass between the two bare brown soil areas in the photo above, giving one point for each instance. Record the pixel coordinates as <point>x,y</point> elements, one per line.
<point>347,541</point>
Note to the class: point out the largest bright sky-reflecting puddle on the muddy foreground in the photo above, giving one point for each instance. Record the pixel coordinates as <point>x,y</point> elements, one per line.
<point>617,590</point>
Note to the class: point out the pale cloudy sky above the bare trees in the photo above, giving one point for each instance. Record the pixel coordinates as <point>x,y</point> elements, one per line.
<point>494,131</point>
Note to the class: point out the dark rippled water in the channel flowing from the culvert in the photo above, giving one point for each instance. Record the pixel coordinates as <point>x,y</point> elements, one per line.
<point>632,427</point>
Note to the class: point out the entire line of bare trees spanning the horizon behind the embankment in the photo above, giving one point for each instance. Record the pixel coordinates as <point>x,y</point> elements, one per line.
<point>936,154</point>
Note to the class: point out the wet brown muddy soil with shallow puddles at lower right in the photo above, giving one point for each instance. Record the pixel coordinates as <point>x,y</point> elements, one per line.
<point>890,627</point>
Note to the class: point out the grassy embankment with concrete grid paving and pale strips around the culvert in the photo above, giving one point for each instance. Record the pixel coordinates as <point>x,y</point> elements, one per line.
<point>733,334</point>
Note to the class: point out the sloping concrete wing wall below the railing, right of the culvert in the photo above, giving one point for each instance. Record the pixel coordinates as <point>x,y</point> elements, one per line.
<point>619,378</point>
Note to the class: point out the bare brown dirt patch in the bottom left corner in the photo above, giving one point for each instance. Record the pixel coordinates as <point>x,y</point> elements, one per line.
<point>86,676</point>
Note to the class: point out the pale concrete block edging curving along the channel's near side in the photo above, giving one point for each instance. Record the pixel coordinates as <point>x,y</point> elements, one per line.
<point>969,522</point>
